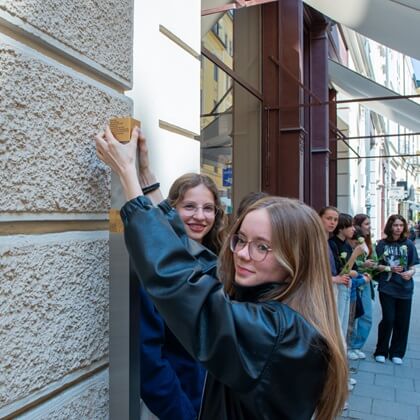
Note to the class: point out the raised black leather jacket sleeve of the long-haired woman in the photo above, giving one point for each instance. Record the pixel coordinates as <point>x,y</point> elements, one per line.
<point>215,330</point>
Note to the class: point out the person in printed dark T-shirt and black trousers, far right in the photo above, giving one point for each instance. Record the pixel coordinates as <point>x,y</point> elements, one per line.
<point>397,257</point>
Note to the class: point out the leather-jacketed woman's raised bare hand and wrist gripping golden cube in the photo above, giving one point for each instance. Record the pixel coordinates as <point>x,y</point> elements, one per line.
<point>121,158</point>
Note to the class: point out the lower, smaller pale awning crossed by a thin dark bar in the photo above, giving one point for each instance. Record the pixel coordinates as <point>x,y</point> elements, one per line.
<point>403,111</point>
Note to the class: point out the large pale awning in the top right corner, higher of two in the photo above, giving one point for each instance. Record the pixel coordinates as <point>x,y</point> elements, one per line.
<point>394,23</point>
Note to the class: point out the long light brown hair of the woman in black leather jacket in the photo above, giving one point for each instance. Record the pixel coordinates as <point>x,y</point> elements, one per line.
<point>296,232</point>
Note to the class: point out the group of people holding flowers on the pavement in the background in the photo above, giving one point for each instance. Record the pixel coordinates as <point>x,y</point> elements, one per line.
<point>356,262</point>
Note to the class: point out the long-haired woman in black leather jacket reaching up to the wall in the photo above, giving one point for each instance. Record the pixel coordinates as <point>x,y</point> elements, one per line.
<point>266,335</point>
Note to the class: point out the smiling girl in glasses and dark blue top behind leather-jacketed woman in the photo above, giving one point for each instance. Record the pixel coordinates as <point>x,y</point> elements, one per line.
<point>171,380</point>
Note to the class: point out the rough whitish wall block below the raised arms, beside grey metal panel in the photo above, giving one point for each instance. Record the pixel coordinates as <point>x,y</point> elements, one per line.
<point>53,308</point>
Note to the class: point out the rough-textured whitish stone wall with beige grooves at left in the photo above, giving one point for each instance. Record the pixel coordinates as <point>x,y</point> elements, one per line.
<point>63,68</point>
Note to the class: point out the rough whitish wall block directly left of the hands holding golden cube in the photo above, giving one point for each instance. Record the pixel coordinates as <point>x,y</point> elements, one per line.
<point>49,115</point>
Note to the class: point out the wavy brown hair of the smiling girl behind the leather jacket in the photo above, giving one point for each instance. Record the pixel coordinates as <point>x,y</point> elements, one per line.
<point>214,239</point>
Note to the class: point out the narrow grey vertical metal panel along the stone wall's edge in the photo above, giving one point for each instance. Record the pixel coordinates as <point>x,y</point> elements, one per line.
<point>124,354</point>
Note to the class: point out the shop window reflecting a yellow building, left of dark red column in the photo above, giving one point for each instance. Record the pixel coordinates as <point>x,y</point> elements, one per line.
<point>231,104</point>
